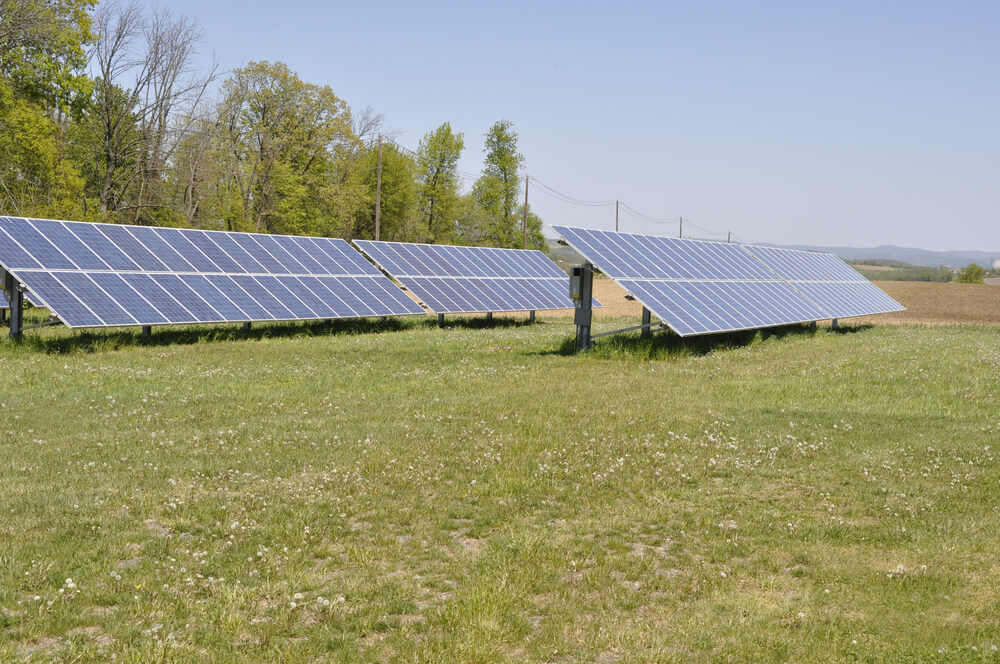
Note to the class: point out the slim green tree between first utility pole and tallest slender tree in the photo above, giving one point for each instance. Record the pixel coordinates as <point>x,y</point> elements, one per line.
<point>437,175</point>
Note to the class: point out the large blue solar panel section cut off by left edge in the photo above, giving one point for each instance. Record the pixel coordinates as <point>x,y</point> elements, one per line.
<point>102,275</point>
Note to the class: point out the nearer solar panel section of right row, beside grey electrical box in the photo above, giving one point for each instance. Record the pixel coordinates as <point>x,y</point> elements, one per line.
<point>694,286</point>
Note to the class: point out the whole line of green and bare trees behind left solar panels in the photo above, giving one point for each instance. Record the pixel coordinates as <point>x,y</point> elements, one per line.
<point>104,116</point>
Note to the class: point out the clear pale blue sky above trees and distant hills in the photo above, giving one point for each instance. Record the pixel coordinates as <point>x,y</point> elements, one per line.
<point>828,123</point>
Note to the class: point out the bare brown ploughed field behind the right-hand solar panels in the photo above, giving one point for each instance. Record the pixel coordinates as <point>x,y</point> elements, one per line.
<point>926,302</point>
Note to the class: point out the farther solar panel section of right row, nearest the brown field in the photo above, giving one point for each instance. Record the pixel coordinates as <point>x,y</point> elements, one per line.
<point>828,281</point>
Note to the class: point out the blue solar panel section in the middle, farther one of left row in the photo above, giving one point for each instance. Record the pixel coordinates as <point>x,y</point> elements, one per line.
<point>450,279</point>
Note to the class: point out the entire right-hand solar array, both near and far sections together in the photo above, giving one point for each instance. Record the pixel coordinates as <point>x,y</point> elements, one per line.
<point>700,287</point>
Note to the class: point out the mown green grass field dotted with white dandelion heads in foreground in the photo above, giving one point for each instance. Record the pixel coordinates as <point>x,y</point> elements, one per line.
<point>400,492</point>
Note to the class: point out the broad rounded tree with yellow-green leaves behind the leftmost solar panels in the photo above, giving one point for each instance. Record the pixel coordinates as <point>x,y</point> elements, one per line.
<point>285,147</point>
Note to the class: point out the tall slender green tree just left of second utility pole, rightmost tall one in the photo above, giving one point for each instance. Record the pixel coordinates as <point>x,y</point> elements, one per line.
<point>496,191</point>
